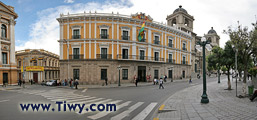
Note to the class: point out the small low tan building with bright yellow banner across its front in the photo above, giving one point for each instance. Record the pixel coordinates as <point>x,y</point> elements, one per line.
<point>37,65</point>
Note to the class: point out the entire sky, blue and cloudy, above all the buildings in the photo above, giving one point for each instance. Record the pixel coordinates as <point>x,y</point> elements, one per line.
<point>37,27</point>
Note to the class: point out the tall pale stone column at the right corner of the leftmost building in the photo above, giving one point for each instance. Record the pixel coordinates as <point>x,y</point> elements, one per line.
<point>12,49</point>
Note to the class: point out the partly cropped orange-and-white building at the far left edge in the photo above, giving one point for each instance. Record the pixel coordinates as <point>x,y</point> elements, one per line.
<point>8,69</point>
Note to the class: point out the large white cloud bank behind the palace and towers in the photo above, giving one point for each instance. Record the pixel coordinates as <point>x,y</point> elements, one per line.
<point>213,13</point>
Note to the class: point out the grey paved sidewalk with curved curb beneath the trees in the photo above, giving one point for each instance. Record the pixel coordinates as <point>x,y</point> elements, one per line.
<point>223,104</point>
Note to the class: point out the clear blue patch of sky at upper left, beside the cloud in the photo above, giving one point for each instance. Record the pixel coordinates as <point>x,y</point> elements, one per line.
<point>27,11</point>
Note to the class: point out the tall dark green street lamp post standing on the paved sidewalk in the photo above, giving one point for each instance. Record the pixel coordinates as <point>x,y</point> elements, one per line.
<point>204,95</point>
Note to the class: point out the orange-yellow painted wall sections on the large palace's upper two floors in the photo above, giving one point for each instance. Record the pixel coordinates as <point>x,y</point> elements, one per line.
<point>163,53</point>
